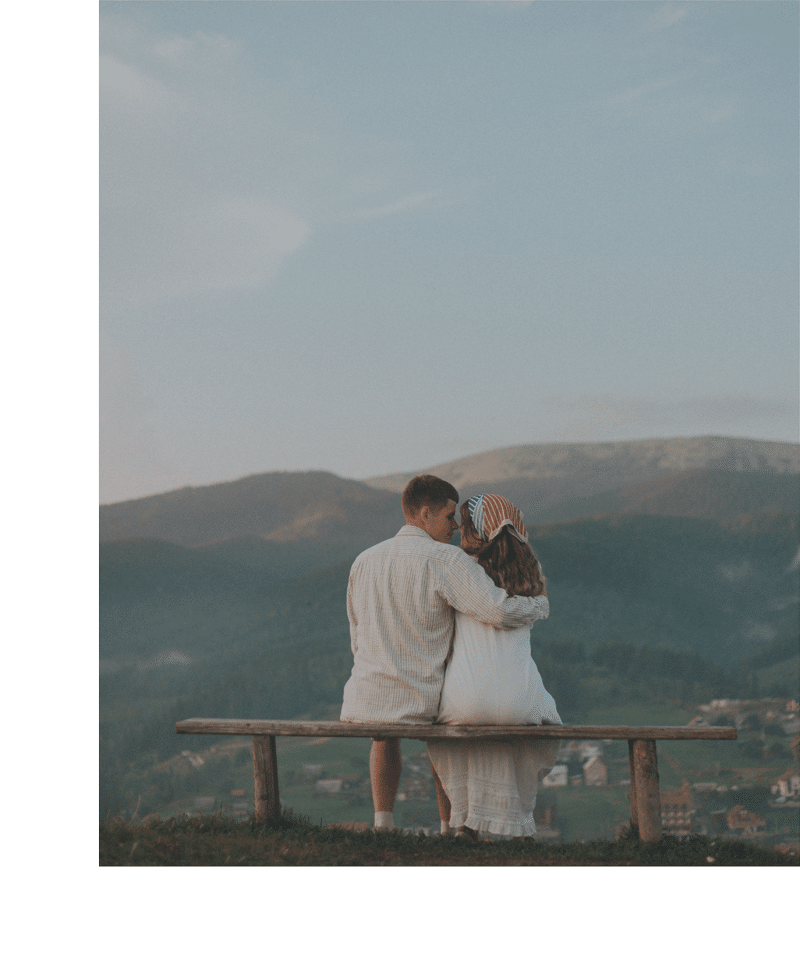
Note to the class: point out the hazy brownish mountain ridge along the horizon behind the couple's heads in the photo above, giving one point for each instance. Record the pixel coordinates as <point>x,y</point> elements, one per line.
<point>706,477</point>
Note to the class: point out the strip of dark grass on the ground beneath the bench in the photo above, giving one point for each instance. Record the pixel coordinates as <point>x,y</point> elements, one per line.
<point>293,840</point>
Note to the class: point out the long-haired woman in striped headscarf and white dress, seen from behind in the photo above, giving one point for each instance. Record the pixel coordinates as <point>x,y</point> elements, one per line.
<point>491,678</point>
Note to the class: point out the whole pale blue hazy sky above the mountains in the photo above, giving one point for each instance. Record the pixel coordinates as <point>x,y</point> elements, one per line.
<point>370,236</point>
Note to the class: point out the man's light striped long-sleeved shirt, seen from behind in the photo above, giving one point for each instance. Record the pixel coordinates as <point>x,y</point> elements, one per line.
<point>401,601</point>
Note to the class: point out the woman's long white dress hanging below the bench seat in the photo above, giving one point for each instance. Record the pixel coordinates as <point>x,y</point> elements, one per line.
<point>491,678</point>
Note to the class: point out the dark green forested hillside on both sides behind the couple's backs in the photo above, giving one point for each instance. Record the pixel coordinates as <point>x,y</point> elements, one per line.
<point>642,608</point>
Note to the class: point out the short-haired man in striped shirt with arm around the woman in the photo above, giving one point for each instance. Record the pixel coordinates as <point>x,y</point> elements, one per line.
<point>401,599</point>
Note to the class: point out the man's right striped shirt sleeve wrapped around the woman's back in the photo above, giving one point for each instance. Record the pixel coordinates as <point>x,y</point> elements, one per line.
<point>468,588</point>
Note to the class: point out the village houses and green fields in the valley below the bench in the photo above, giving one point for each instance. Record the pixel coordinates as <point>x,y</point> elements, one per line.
<point>751,794</point>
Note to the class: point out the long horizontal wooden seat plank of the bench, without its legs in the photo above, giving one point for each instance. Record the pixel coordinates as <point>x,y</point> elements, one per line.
<point>336,728</point>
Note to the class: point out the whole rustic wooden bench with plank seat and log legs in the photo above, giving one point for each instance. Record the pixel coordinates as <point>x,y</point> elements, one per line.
<point>644,791</point>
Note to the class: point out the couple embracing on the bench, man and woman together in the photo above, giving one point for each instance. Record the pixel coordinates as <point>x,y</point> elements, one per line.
<point>441,633</point>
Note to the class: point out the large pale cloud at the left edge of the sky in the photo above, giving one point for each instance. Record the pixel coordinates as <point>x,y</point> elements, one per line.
<point>164,234</point>
